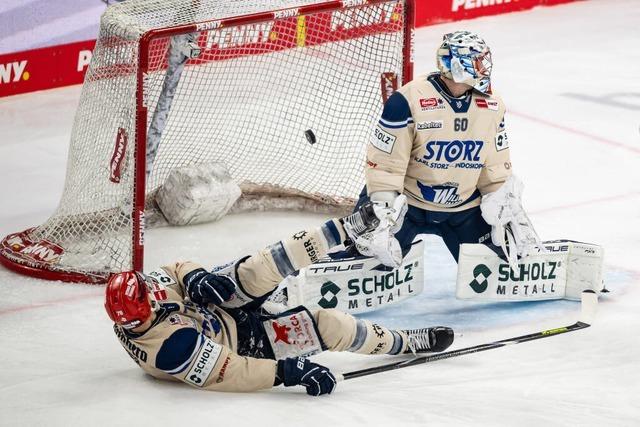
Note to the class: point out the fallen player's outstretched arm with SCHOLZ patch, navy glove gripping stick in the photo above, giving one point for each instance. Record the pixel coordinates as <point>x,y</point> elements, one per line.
<point>195,359</point>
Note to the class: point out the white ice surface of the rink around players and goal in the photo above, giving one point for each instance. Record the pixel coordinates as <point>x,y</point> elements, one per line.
<point>570,76</point>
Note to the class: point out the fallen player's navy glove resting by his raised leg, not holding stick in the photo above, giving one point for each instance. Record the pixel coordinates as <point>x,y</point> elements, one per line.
<point>208,288</point>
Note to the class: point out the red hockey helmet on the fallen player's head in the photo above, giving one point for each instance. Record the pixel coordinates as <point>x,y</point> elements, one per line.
<point>127,301</point>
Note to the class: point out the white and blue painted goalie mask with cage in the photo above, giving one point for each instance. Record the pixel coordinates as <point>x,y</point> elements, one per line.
<point>465,58</point>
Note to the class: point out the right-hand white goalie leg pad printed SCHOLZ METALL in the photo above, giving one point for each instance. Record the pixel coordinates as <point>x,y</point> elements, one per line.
<point>567,269</point>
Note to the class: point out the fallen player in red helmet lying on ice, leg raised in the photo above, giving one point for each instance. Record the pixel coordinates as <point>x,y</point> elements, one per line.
<point>210,330</point>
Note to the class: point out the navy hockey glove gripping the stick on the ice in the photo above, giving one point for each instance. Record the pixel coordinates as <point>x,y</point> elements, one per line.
<point>317,379</point>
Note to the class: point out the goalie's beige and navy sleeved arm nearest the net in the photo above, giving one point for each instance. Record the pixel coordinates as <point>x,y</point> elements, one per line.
<point>390,147</point>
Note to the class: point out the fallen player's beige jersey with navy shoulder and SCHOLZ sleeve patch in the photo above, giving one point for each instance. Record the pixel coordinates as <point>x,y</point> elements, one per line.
<point>194,344</point>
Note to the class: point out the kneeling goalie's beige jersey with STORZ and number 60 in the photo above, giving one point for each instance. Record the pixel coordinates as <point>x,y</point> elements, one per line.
<point>442,152</point>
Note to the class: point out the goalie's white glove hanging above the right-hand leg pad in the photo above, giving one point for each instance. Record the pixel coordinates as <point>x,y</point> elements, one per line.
<point>512,229</point>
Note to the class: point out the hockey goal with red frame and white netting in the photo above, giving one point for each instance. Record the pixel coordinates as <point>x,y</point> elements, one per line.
<point>284,93</point>
